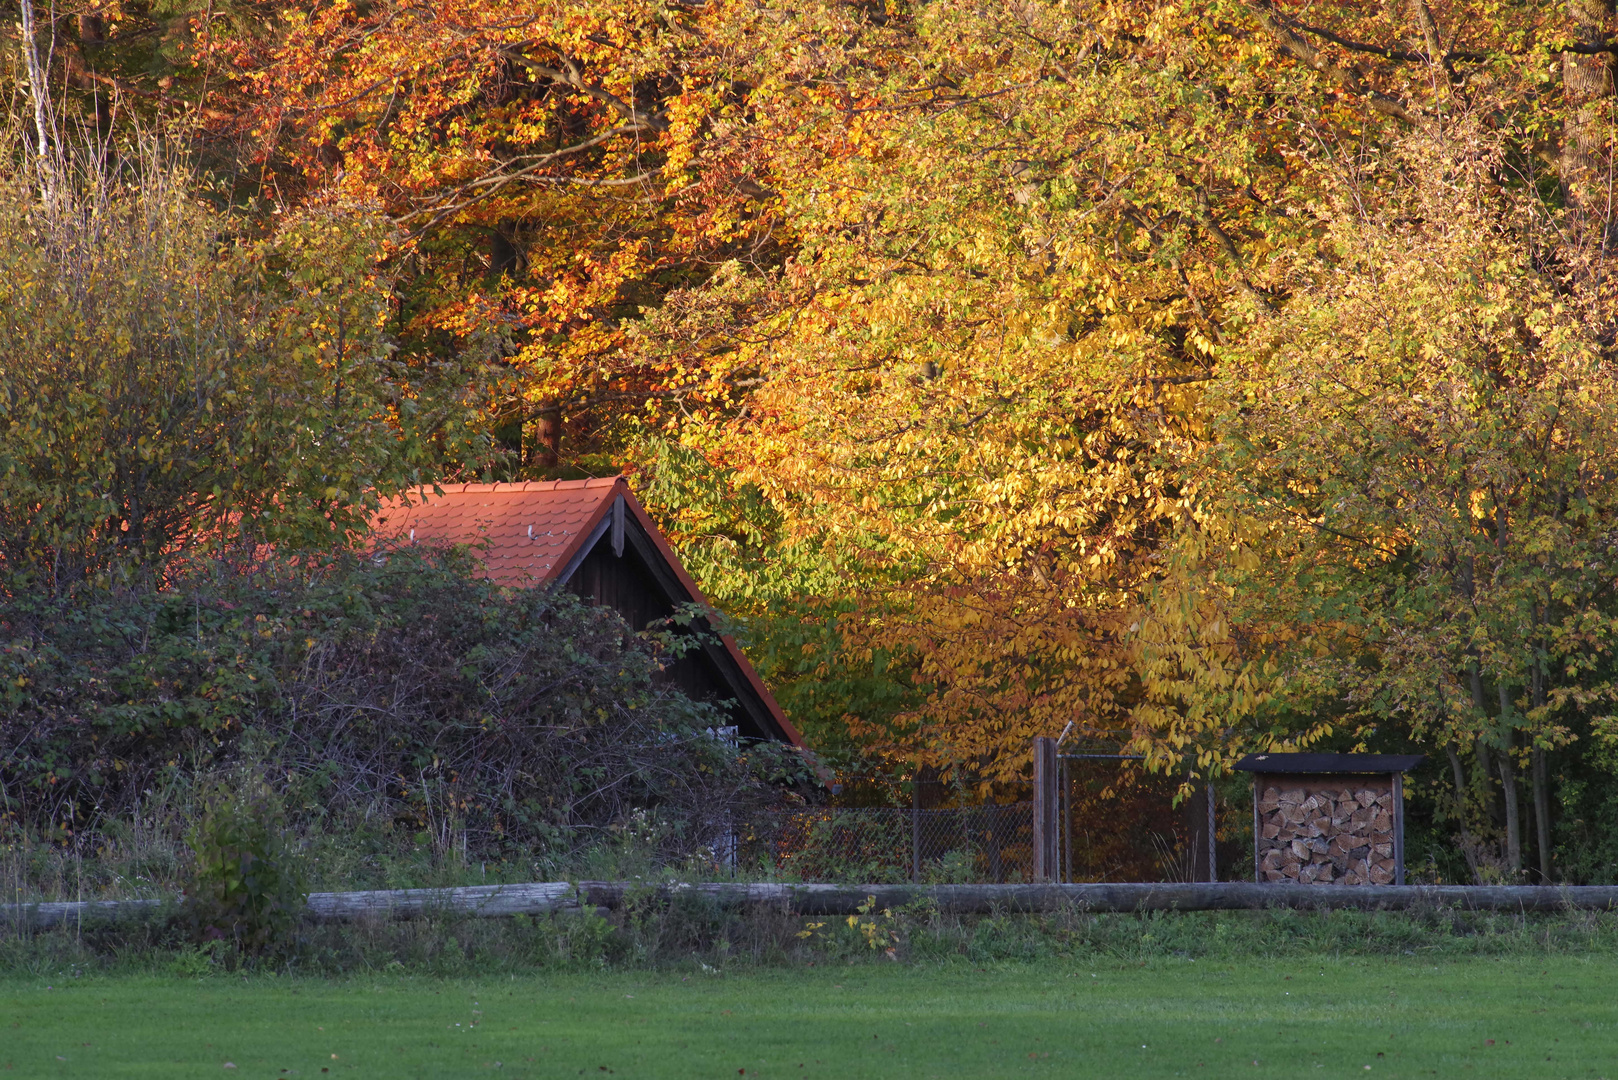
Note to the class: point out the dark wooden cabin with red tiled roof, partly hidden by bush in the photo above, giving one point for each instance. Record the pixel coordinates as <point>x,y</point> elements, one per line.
<point>591,537</point>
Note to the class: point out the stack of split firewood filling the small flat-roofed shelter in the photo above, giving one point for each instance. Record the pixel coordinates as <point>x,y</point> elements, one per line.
<point>1328,835</point>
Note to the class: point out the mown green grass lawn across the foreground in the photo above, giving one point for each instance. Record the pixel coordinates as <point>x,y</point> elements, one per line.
<point>1515,1018</point>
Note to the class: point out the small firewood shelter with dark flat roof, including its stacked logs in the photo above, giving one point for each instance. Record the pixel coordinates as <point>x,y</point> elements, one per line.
<point>1332,820</point>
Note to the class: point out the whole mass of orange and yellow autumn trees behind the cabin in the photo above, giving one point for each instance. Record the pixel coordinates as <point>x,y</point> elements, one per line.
<point>1213,378</point>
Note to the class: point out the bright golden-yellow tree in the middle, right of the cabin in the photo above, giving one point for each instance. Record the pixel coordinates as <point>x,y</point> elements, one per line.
<point>1017,242</point>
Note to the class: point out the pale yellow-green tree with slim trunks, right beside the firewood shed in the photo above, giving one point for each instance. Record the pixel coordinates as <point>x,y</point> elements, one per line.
<point>1408,504</point>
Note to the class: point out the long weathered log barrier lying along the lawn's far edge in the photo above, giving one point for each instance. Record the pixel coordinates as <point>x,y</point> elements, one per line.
<point>821,899</point>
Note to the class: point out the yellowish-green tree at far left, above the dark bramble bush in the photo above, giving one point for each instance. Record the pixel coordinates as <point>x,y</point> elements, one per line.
<point>167,388</point>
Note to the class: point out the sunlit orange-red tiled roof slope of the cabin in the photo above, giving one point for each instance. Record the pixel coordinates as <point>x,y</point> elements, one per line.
<point>523,534</point>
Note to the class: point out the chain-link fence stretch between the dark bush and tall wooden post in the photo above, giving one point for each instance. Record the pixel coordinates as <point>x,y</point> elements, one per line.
<point>892,844</point>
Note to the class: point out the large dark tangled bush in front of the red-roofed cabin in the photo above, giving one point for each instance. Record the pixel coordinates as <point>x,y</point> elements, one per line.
<point>391,689</point>
